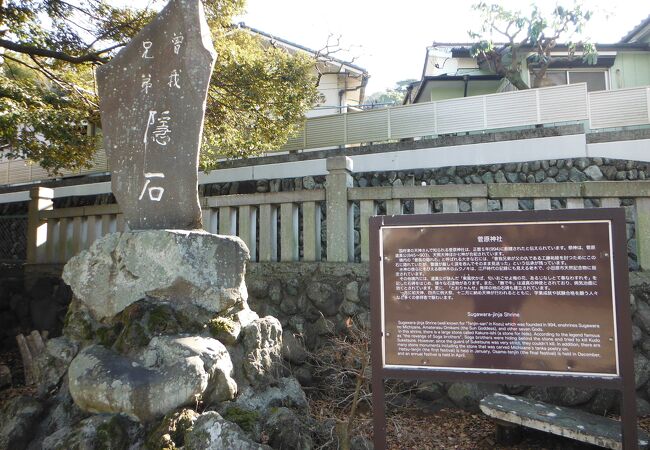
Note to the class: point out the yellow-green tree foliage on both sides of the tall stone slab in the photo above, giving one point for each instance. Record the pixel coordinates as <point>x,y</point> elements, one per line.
<point>50,48</point>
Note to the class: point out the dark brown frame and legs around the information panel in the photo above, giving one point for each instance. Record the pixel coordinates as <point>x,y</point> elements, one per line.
<point>623,382</point>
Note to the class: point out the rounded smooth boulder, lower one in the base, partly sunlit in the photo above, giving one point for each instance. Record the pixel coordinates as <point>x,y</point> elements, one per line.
<point>171,372</point>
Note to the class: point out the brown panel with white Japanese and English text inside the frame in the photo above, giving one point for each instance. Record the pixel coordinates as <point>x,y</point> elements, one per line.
<point>508,296</point>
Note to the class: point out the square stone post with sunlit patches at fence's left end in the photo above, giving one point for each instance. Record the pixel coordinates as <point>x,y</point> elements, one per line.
<point>40,200</point>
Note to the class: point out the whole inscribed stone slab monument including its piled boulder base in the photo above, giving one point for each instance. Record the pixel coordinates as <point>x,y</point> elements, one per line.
<point>159,322</point>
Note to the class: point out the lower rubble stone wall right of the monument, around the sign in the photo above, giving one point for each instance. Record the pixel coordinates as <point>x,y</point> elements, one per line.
<point>314,300</point>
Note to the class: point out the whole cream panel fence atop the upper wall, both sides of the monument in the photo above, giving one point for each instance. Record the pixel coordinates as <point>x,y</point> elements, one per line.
<point>551,105</point>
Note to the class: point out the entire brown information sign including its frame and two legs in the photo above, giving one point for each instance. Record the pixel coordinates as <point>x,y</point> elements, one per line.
<point>524,297</point>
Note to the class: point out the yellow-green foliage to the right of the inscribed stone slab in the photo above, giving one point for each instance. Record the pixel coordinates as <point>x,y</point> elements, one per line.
<point>257,97</point>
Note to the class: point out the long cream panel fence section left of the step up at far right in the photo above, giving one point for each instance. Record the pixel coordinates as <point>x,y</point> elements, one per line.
<point>482,112</point>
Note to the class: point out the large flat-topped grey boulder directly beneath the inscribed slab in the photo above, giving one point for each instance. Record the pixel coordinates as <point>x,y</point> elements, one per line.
<point>182,267</point>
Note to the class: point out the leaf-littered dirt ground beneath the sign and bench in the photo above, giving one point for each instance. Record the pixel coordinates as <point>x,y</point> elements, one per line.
<point>407,428</point>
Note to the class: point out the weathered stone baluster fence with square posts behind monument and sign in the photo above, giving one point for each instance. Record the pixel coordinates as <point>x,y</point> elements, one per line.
<point>287,226</point>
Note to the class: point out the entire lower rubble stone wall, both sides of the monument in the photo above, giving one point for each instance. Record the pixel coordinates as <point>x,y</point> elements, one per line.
<point>313,301</point>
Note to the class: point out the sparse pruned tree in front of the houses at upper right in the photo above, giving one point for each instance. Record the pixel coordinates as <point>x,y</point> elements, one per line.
<point>531,35</point>
